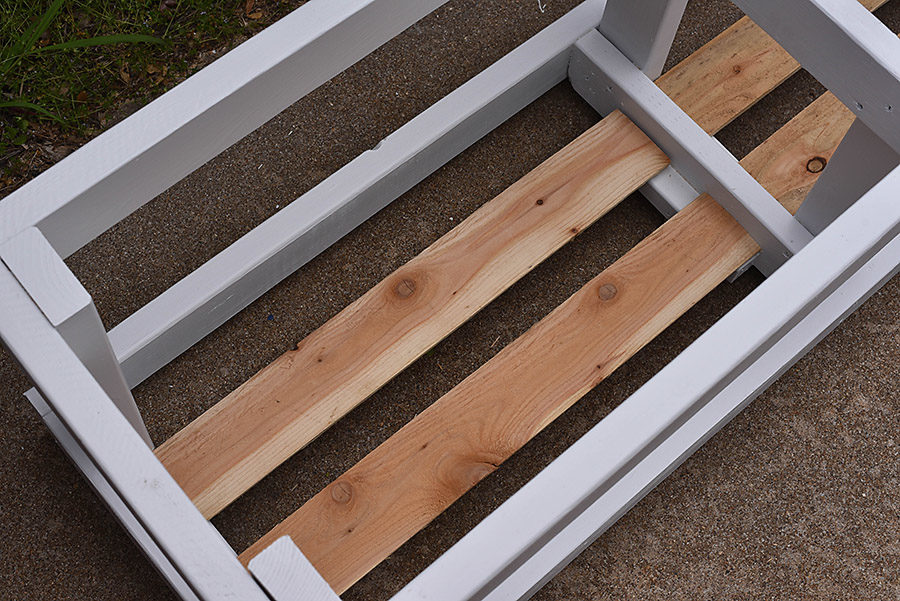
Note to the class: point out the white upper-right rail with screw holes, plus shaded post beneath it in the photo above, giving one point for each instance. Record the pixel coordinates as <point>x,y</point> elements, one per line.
<point>857,58</point>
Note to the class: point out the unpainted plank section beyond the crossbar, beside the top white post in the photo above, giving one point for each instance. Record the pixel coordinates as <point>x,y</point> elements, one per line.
<point>732,72</point>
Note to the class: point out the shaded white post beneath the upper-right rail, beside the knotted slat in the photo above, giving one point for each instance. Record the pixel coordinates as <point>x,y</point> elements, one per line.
<point>860,162</point>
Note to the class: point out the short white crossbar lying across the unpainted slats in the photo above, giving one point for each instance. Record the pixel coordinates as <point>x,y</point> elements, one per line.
<point>608,80</point>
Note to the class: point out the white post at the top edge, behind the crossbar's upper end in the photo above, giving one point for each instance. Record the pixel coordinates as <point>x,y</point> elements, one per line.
<point>643,30</point>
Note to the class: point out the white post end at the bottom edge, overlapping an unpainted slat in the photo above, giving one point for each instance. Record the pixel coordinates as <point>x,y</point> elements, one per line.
<point>287,575</point>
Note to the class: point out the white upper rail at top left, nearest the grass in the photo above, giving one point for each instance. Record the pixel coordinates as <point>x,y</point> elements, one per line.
<point>123,168</point>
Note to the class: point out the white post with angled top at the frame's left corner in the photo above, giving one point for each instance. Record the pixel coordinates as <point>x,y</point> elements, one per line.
<point>69,309</point>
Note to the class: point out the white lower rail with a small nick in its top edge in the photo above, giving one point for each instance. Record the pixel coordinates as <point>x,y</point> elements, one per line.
<point>203,300</point>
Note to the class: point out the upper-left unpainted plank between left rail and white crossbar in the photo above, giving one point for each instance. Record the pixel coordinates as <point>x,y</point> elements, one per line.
<point>290,402</point>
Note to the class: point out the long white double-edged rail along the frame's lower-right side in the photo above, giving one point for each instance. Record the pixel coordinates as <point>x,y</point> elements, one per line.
<point>734,352</point>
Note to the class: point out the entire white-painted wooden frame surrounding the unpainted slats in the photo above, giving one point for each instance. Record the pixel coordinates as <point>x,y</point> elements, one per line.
<point>610,51</point>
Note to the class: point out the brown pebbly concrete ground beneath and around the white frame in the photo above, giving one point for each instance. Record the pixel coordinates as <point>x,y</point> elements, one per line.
<point>799,497</point>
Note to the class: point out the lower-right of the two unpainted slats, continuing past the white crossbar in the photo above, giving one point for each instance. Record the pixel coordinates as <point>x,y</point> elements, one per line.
<point>355,522</point>
